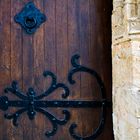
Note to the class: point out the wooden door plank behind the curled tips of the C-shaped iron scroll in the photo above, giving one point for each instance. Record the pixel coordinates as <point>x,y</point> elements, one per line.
<point>74,48</point>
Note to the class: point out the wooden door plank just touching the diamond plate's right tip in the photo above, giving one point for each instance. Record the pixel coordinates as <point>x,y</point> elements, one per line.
<point>50,50</point>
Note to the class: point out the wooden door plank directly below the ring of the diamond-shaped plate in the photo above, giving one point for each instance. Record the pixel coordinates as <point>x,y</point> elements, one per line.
<point>28,75</point>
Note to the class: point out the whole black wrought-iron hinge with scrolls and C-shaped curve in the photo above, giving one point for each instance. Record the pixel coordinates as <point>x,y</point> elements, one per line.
<point>32,103</point>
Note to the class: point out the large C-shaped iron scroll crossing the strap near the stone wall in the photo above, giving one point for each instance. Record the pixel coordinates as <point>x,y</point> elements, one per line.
<point>79,68</point>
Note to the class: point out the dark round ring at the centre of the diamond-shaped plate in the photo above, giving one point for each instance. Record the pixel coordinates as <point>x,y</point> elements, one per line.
<point>30,22</point>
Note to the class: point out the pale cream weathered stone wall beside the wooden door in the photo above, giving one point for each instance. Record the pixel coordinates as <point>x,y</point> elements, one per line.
<point>126,69</point>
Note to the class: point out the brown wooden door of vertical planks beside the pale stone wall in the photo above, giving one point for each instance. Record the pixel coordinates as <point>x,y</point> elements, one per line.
<point>72,27</point>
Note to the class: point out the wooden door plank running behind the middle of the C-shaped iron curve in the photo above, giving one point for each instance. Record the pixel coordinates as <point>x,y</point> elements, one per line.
<point>84,44</point>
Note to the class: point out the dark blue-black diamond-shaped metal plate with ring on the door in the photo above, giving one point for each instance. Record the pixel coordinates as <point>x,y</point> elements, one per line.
<point>30,18</point>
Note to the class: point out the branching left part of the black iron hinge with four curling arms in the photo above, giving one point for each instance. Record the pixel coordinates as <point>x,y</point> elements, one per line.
<point>31,103</point>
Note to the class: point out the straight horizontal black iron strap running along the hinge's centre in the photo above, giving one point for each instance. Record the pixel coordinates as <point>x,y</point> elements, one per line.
<point>59,104</point>
